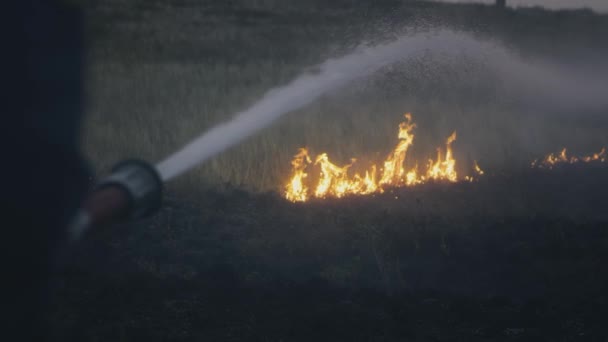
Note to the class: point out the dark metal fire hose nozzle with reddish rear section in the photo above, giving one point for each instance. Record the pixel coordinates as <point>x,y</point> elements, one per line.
<point>133,190</point>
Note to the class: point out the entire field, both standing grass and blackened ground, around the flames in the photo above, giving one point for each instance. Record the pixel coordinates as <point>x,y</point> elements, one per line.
<point>518,255</point>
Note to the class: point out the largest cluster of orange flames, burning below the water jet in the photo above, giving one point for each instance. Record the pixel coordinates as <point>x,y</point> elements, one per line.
<point>335,181</point>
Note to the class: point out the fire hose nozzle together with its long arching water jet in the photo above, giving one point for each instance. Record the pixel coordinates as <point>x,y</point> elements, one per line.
<point>134,188</point>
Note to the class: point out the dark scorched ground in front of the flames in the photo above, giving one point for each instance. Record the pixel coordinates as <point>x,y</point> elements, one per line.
<point>517,256</point>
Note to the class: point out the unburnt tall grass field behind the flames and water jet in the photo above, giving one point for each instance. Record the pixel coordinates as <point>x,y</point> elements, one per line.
<point>162,72</point>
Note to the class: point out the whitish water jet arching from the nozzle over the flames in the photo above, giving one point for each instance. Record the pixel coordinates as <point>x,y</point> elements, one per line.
<point>533,82</point>
